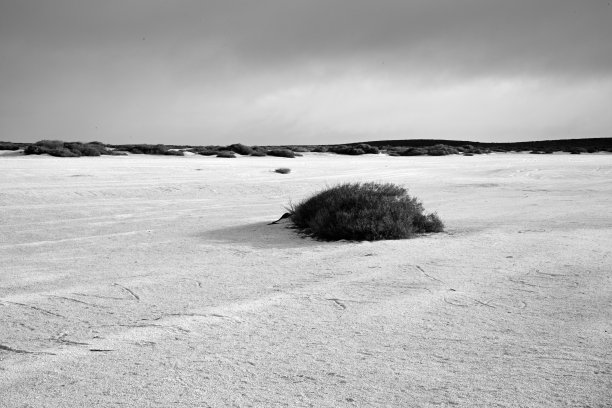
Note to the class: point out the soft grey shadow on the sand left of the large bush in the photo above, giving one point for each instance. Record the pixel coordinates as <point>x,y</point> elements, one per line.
<point>262,235</point>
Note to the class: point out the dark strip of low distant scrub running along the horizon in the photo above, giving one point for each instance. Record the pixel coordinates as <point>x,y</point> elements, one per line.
<point>399,148</point>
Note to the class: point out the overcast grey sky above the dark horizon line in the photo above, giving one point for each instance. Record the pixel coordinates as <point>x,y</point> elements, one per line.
<point>203,72</point>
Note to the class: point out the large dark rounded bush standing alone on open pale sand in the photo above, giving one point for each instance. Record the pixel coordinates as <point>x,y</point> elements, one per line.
<point>368,211</point>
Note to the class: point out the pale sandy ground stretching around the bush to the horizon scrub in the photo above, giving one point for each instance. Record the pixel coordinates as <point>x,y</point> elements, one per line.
<point>146,281</point>
